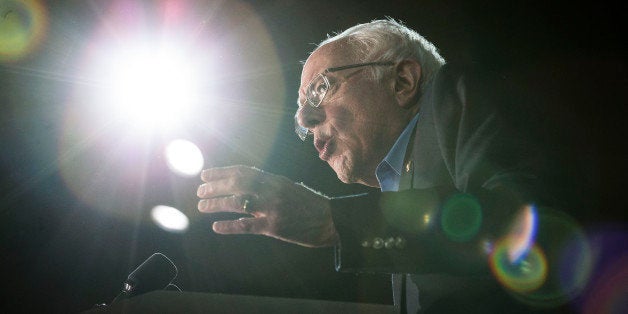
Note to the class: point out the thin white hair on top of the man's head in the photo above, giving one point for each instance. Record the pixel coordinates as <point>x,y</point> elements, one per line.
<point>389,40</point>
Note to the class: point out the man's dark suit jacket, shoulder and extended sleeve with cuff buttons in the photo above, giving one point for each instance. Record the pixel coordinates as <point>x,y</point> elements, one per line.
<point>472,172</point>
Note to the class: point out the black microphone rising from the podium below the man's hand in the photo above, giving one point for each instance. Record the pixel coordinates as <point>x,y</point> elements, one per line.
<point>156,273</point>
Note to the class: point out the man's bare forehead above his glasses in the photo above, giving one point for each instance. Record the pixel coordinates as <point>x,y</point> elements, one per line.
<point>333,54</point>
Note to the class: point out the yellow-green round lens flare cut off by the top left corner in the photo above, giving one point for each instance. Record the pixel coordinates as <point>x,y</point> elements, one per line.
<point>23,24</point>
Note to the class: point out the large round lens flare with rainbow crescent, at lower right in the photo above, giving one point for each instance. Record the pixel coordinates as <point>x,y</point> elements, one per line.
<point>546,260</point>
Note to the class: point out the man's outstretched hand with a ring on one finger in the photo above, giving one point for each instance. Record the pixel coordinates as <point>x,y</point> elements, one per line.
<point>280,208</point>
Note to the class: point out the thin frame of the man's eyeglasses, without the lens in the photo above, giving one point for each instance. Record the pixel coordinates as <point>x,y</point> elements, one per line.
<point>303,132</point>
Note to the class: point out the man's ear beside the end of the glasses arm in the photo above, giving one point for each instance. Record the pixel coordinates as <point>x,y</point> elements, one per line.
<point>407,78</point>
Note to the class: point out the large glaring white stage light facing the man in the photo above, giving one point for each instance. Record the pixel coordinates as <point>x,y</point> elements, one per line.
<point>150,86</point>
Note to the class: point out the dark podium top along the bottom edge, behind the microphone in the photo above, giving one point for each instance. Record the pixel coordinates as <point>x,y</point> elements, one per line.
<point>163,301</point>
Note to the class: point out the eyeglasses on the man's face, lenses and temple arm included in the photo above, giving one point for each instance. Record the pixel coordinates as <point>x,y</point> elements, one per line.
<point>317,89</point>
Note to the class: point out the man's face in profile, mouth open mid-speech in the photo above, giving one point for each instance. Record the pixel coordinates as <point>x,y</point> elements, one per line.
<point>357,122</point>
